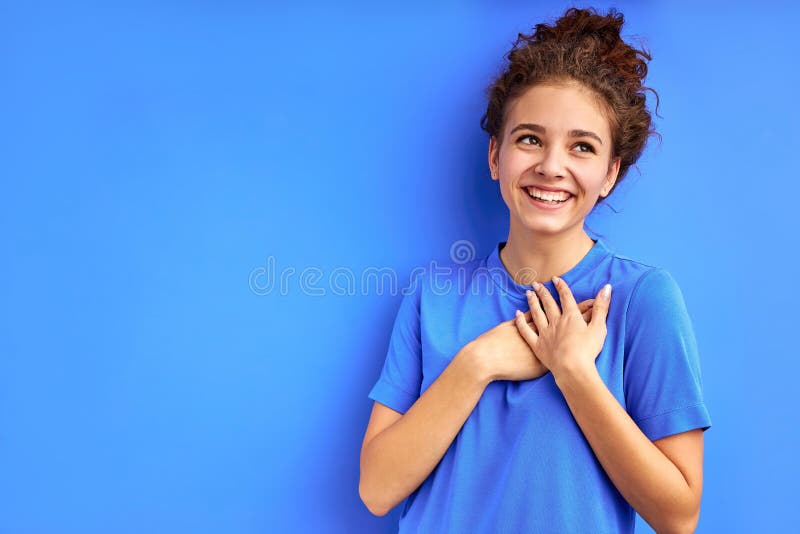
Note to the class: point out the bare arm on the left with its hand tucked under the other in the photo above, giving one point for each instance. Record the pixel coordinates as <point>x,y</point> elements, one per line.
<point>400,450</point>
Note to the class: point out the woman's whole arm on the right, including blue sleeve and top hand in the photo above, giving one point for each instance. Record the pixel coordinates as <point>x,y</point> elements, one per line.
<point>662,478</point>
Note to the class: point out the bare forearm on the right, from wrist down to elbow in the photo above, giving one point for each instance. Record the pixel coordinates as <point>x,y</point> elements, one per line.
<point>645,477</point>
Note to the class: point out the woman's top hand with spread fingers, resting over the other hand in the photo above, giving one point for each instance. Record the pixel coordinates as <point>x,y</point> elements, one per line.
<point>563,341</point>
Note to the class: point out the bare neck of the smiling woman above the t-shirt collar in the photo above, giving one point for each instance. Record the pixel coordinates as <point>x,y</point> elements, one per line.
<point>530,256</point>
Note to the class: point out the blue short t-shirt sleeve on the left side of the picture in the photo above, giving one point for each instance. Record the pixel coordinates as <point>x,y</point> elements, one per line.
<point>401,377</point>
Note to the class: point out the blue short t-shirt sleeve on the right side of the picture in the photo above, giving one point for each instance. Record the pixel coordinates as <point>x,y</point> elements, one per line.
<point>661,375</point>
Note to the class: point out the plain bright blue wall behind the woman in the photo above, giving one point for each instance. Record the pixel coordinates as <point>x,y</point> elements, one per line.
<point>154,156</point>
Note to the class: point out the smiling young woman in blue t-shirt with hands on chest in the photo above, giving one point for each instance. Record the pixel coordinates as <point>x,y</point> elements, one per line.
<point>569,417</point>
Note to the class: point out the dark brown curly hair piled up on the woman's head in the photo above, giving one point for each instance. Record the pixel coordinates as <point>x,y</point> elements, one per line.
<point>581,46</point>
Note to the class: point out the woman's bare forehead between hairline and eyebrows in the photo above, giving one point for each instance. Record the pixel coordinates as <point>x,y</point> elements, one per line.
<point>560,108</point>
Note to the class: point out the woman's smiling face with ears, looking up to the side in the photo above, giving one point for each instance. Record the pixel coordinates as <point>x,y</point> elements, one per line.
<point>556,144</point>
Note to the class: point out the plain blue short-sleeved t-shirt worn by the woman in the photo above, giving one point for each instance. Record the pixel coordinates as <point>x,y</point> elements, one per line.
<point>520,462</point>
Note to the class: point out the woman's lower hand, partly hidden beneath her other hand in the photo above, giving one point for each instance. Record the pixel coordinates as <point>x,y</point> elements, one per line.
<point>502,354</point>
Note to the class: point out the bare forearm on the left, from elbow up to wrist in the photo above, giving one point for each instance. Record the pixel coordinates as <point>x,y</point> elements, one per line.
<point>396,461</point>
